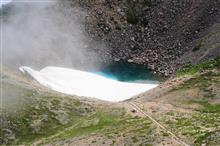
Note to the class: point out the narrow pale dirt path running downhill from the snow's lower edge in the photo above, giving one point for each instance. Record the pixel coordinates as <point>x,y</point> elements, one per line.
<point>178,140</point>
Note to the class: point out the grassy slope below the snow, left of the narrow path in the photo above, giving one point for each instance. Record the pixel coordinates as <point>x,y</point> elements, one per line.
<point>31,116</point>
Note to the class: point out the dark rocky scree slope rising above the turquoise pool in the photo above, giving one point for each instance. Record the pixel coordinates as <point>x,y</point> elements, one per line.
<point>161,34</point>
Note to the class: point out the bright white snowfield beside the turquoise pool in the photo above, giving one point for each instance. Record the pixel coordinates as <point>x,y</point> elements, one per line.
<point>81,83</point>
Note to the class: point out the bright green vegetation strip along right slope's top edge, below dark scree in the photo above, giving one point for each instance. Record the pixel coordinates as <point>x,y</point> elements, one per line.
<point>193,69</point>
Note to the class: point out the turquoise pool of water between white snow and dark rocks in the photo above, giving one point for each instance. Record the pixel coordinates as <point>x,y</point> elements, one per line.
<point>127,72</point>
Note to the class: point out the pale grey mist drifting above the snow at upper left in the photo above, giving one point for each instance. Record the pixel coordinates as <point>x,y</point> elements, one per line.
<point>49,33</point>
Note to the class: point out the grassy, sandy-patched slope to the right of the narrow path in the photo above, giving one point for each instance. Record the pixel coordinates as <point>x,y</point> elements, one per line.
<point>191,108</point>
